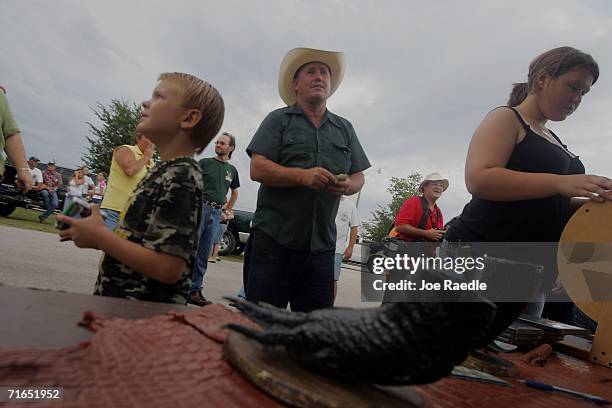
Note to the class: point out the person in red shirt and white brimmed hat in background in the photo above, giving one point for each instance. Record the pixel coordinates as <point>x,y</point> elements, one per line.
<point>419,218</point>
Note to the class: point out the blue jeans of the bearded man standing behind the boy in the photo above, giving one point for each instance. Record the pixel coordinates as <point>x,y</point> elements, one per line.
<point>209,226</point>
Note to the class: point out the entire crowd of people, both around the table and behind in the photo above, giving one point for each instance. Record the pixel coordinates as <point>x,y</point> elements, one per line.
<point>158,222</point>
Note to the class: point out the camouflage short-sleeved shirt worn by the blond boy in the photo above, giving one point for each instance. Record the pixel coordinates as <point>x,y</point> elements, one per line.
<point>162,214</point>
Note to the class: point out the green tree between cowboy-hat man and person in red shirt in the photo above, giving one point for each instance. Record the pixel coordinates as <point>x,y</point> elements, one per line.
<point>384,216</point>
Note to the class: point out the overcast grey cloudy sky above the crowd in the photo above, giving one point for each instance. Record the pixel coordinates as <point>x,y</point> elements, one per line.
<point>420,75</point>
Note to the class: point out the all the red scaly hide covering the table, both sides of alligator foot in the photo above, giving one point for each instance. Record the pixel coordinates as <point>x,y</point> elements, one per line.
<point>175,360</point>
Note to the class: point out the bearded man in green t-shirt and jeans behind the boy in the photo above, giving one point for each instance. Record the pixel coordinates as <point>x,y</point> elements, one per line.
<point>219,176</point>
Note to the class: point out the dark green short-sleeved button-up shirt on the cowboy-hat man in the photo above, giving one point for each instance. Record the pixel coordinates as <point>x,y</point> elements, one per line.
<point>299,217</point>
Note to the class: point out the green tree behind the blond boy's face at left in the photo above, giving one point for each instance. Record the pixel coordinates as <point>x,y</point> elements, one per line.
<point>118,127</point>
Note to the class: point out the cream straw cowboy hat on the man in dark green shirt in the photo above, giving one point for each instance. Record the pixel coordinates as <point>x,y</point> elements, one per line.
<point>297,57</point>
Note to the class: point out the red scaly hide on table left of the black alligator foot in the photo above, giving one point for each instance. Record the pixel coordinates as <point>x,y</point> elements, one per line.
<point>170,360</point>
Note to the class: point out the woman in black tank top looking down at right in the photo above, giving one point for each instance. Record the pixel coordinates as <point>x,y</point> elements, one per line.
<point>522,178</point>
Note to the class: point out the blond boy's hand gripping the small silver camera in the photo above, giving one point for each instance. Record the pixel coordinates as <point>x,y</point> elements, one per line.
<point>86,232</point>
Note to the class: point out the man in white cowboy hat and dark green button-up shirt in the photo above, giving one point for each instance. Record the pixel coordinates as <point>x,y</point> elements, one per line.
<point>305,158</point>
